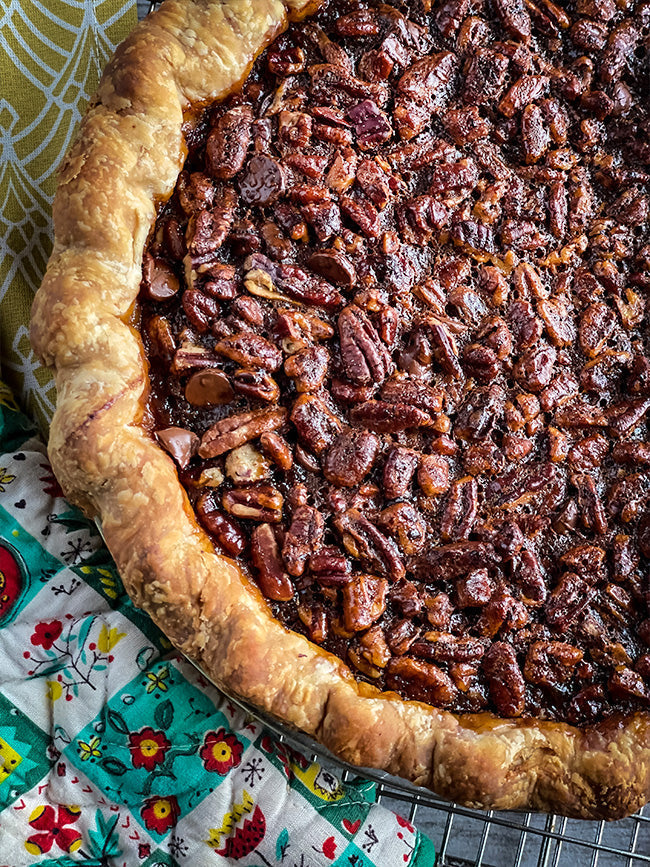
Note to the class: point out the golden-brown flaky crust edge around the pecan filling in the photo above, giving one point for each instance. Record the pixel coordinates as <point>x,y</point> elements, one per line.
<point>125,161</point>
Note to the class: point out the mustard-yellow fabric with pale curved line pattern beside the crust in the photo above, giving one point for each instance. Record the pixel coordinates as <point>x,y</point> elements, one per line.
<point>51,55</point>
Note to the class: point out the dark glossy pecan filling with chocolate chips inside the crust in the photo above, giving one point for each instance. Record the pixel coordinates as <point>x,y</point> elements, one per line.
<point>395,313</point>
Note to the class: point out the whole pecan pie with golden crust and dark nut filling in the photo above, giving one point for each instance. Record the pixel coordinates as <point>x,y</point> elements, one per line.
<point>353,365</point>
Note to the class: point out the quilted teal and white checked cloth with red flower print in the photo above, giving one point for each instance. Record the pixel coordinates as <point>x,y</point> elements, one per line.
<point>114,750</point>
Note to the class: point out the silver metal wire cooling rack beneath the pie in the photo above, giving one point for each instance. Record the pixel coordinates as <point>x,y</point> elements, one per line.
<point>473,838</point>
